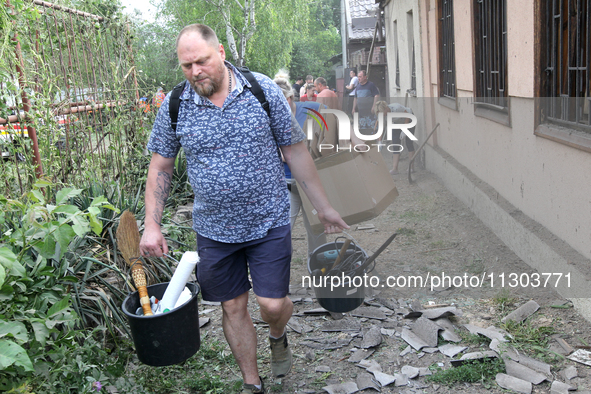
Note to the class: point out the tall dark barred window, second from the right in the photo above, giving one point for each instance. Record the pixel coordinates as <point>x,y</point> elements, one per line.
<point>490,32</point>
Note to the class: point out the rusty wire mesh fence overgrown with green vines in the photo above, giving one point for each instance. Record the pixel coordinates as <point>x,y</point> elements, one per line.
<point>69,92</point>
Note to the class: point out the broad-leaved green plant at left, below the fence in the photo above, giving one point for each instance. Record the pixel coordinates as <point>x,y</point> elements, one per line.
<point>38,321</point>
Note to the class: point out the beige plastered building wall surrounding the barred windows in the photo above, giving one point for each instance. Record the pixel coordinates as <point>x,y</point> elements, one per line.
<point>546,180</point>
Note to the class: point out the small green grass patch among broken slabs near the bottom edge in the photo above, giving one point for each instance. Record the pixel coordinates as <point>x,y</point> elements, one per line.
<point>483,371</point>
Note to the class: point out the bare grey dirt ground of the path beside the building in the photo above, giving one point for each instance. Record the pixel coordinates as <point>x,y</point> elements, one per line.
<point>437,235</point>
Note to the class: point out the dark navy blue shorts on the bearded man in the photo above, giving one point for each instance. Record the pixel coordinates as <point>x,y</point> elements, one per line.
<point>223,268</point>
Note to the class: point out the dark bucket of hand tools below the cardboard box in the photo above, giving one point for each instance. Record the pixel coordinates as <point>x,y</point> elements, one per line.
<point>338,299</point>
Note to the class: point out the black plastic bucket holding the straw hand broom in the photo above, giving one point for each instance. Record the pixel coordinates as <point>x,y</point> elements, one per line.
<point>168,338</point>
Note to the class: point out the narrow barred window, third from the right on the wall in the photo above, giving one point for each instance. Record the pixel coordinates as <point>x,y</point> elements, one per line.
<point>447,51</point>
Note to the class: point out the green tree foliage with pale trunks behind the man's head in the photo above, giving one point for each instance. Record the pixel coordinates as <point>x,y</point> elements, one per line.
<point>295,34</point>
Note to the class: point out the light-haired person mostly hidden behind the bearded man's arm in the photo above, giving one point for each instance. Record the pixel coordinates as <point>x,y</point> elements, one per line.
<point>300,111</point>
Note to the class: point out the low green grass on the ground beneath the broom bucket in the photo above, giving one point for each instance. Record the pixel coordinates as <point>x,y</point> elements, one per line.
<point>209,371</point>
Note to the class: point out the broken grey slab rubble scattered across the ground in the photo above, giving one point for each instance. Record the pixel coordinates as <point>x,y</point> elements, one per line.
<point>379,329</point>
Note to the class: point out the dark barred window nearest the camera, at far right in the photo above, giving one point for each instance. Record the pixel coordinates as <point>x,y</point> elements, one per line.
<point>567,68</point>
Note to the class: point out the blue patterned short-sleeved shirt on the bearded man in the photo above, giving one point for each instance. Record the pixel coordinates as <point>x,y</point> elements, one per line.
<point>233,158</point>
